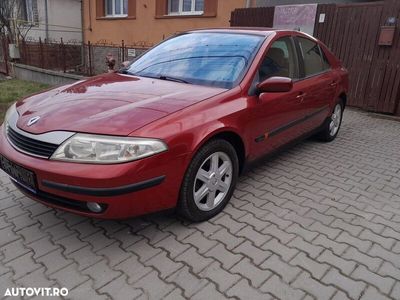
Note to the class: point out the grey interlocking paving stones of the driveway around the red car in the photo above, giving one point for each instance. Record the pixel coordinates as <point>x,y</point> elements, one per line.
<point>320,221</point>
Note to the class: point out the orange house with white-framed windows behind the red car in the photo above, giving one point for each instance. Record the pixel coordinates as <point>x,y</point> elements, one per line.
<point>148,22</point>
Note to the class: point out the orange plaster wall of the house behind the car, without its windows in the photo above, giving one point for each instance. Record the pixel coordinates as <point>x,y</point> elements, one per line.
<point>145,28</point>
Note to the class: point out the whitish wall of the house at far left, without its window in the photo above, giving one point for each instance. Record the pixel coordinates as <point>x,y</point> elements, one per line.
<point>64,19</point>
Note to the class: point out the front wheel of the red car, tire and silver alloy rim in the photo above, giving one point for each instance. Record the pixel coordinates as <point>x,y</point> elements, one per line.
<point>206,189</point>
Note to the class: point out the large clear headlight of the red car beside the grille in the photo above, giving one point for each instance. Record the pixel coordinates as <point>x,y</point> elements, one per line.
<point>107,149</point>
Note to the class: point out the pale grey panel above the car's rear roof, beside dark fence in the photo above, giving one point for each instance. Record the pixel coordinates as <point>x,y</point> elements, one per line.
<point>297,17</point>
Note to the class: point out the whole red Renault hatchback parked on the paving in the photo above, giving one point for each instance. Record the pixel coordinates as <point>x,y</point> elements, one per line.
<point>176,127</point>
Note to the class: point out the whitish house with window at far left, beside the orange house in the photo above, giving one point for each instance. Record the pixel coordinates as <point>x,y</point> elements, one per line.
<point>52,19</point>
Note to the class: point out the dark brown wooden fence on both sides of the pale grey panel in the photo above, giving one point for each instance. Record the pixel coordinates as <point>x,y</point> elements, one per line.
<point>352,31</point>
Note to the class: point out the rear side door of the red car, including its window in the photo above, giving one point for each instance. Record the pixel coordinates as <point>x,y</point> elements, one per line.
<point>317,80</point>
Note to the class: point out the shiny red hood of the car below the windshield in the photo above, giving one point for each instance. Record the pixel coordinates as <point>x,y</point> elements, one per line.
<point>113,104</point>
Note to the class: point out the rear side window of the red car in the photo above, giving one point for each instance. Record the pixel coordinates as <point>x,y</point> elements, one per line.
<point>312,57</point>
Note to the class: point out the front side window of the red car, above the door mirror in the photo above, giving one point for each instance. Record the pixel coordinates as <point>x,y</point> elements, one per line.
<point>281,60</point>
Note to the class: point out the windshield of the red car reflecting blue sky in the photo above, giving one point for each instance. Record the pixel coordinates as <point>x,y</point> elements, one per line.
<point>211,59</point>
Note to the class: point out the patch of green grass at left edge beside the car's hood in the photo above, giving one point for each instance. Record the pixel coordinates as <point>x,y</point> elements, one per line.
<point>13,90</point>
